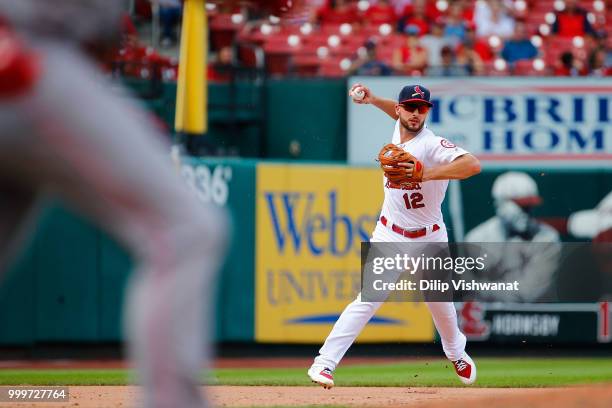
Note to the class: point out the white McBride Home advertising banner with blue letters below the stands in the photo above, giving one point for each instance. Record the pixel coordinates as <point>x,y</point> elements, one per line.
<point>504,121</point>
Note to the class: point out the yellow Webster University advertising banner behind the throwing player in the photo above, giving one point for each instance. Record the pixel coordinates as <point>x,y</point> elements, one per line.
<point>311,221</point>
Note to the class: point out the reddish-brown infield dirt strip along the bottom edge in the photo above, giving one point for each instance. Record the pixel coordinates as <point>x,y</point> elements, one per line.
<point>230,396</point>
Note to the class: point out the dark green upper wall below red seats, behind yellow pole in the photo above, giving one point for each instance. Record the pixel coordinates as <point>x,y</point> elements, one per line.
<point>280,119</point>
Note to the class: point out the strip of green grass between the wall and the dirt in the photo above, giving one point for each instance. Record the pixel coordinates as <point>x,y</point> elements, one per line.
<point>492,372</point>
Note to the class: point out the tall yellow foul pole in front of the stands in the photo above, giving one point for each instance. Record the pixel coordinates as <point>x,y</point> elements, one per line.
<point>191,93</point>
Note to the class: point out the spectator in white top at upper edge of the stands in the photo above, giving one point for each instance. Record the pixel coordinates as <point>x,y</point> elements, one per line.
<point>493,17</point>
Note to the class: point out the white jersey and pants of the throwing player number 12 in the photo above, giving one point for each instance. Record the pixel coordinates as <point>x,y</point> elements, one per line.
<point>414,209</point>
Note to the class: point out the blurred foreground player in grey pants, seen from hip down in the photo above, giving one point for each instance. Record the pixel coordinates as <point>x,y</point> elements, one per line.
<point>63,132</point>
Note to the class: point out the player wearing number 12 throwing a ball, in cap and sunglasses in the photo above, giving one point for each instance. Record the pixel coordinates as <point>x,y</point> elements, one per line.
<point>411,212</point>
